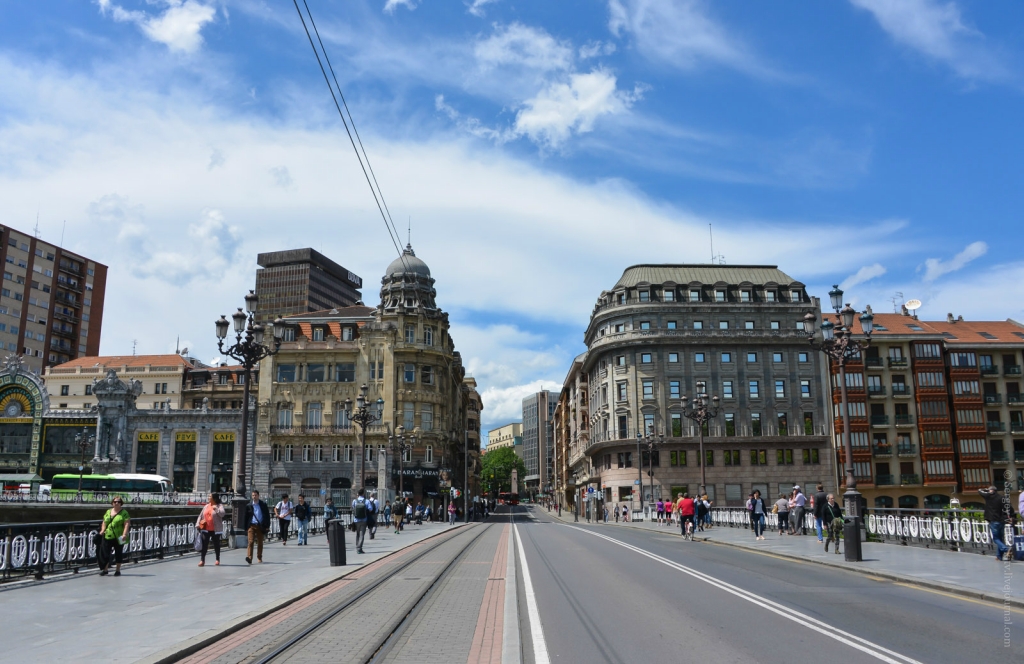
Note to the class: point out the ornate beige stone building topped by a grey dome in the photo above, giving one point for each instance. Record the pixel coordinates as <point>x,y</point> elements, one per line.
<point>403,352</point>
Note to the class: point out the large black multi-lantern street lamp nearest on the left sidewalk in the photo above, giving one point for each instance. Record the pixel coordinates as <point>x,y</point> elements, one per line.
<point>249,350</point>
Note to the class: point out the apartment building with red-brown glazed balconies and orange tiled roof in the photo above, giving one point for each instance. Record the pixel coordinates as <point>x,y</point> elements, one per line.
<point>936,411</point>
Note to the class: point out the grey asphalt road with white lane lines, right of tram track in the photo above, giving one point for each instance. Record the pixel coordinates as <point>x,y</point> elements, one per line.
<point>620,595</point>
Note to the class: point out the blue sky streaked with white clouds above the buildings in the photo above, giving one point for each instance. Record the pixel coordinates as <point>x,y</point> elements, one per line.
<point>539,148</point>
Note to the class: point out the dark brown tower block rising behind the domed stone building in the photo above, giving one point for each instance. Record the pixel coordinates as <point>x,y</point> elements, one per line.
<point>301,281</point>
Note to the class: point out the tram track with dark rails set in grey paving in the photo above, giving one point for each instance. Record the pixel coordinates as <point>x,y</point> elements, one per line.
<point>362,627</point>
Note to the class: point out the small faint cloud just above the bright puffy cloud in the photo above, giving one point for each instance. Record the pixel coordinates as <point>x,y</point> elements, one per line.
<point>524,47</point>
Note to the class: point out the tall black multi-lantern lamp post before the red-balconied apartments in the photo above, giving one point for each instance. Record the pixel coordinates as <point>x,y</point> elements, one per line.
<point>840,347</point>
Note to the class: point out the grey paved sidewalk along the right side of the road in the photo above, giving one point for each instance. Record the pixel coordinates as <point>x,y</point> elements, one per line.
<point>967,574</point>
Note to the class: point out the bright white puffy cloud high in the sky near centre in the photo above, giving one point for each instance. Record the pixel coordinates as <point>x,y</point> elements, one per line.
<point>573,107</point>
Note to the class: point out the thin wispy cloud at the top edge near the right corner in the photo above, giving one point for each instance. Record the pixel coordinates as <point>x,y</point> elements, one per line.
<point>936,29</point>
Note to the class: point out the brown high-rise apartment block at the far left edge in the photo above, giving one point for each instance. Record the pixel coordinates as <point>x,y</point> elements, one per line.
<point>52,303</point>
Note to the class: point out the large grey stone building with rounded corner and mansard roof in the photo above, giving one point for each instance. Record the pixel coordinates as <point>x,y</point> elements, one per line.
<point>668,331</point>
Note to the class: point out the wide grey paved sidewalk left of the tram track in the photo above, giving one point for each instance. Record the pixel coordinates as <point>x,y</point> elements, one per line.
<point>152,607</point>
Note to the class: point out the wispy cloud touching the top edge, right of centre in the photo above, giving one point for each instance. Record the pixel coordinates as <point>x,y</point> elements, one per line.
<point>681,34</point>
